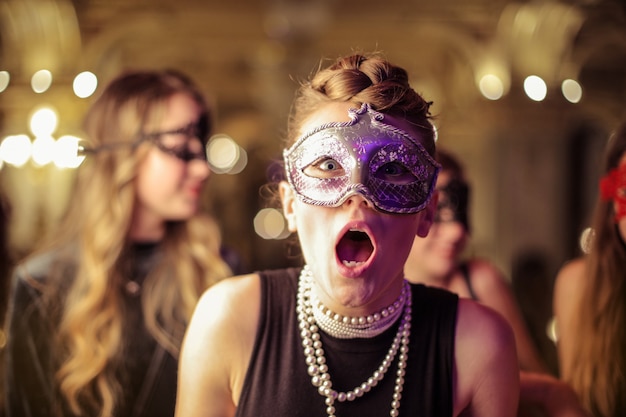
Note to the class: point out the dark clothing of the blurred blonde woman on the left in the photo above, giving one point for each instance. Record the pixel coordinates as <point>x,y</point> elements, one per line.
<point>147,373</point>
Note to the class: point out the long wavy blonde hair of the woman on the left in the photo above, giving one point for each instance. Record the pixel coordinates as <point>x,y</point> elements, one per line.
<point>97,225</point>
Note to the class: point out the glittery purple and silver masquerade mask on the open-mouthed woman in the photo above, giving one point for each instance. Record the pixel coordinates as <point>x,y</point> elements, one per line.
<point>366,156</point>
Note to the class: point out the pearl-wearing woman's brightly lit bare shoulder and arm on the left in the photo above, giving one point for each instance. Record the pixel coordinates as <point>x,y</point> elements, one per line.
<point>223,326</point>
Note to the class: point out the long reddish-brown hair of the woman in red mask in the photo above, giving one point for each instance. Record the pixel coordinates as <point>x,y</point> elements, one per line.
<point>598,369</point>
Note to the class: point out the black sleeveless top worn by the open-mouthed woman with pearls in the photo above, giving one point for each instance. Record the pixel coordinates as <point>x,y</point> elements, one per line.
<point>277,383</point>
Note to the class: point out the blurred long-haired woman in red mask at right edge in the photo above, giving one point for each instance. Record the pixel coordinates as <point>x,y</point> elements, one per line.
<point>590,298</point>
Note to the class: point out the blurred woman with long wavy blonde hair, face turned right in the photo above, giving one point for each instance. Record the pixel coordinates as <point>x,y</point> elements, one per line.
<point>97,316</point>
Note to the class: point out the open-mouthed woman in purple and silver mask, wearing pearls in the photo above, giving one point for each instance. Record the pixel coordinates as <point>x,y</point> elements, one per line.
<point>347,334</point>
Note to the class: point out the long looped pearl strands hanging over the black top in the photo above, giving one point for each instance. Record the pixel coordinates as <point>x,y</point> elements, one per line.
<point>316,361</point>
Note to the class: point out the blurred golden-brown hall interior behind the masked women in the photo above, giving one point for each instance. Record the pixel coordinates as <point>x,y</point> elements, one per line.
<point>534,165</point>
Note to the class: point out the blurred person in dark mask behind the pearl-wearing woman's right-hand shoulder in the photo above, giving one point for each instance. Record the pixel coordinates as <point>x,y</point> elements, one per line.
<point>437,260</point>
